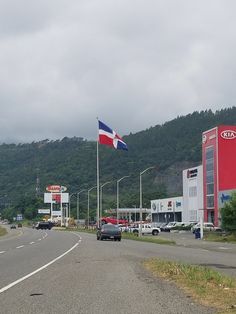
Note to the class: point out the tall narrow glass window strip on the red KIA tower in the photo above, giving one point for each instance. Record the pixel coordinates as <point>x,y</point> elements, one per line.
<point>209,176</point>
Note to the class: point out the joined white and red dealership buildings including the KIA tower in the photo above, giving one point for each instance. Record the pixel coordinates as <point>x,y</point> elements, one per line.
<point>207,187</point>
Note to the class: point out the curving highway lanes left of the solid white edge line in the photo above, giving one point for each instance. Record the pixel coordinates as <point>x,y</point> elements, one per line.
<point>29,250</point>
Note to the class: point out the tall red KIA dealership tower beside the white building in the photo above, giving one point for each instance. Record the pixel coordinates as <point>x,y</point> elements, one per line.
<point>219,169</point>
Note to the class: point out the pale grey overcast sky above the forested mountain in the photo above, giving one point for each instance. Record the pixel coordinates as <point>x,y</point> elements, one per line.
<point>132,63</point>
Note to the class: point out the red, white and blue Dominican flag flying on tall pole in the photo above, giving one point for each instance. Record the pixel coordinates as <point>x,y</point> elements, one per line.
<point>109,137</point>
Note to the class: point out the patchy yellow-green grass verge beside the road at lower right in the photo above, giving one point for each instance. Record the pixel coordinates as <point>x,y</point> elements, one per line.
<point>205,285</point>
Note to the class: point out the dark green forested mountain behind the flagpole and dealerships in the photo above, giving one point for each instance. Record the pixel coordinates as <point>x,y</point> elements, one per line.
<point>71,162</point>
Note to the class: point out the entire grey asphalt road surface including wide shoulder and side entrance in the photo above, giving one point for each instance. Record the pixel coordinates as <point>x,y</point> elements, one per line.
<point>94,277</point>
